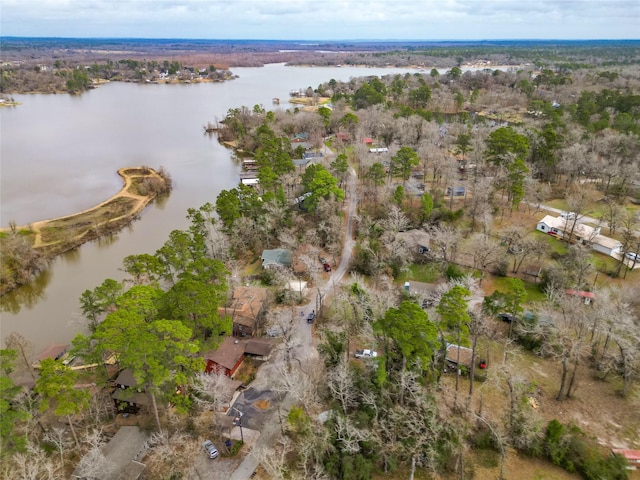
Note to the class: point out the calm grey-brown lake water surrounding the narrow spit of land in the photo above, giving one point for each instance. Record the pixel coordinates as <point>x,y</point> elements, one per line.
<point>59,155</point>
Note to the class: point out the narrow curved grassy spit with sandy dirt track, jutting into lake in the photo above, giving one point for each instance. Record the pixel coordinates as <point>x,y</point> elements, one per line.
<point>48,238</point>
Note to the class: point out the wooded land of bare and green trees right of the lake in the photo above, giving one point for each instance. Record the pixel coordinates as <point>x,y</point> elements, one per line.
<point>466,163</point>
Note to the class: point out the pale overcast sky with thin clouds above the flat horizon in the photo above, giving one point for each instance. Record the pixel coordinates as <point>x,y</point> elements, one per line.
<point>324,19</point>
